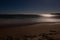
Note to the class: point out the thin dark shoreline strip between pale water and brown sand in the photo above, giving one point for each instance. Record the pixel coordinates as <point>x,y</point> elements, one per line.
<point>27,24</point>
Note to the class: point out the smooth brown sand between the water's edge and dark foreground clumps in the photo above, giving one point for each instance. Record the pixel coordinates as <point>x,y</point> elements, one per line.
<point>34,29</point>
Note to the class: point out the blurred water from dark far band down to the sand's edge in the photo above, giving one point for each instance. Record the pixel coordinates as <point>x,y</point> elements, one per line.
<point>44,20</point>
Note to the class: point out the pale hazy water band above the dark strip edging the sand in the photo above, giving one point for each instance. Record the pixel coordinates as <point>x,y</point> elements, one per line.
<point>28,20</point>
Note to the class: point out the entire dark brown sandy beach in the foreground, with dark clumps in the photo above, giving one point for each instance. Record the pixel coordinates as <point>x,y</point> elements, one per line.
<point>36,30</point>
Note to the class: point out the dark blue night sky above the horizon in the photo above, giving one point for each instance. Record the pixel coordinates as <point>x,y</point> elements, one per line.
<point>29,5</point>
